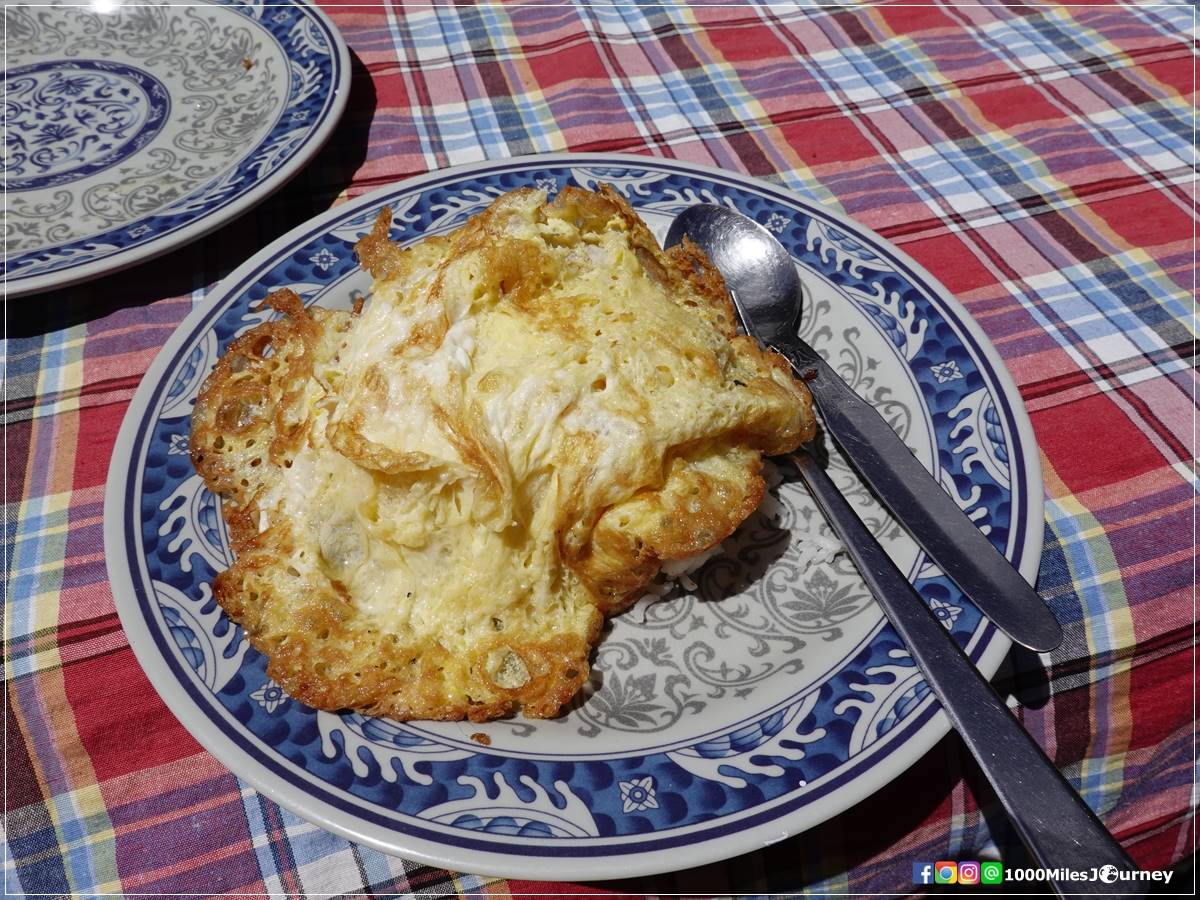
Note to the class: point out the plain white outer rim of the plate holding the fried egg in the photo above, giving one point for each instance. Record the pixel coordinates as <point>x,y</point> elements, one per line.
<point>577,865</point>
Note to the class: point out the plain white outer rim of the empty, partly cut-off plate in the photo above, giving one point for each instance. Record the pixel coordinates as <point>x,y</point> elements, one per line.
<point>16,286</point>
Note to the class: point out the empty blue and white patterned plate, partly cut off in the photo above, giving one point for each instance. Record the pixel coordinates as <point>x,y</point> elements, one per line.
<point>131,130</point>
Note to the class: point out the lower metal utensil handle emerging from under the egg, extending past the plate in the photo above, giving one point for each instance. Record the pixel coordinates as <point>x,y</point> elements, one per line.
<point>1054,821</point>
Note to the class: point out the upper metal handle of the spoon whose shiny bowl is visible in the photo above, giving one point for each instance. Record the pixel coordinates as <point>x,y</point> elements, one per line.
<point>920,503</point>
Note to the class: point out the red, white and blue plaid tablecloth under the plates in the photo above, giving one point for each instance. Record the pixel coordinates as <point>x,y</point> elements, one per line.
<point>1039,160</point>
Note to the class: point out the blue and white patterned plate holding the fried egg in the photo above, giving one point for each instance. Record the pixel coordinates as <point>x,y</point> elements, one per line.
<point>764,703</point>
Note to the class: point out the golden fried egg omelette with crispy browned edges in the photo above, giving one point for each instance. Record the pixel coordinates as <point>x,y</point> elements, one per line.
<point>435,501</point>
